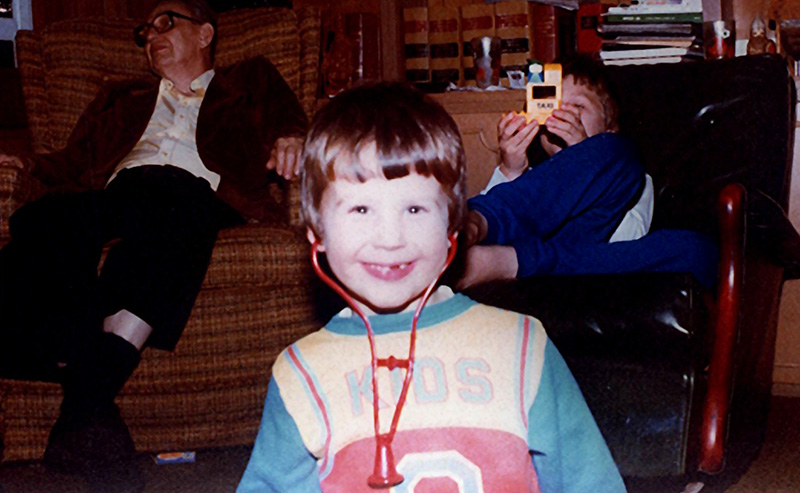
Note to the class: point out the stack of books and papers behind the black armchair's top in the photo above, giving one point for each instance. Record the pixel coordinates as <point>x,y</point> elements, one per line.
<point>652,31</point>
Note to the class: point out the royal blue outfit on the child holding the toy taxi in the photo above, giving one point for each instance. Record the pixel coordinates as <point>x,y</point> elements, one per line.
<point>559,215</point>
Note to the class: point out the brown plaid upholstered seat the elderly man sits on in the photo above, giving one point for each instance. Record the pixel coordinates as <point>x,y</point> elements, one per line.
<point>256,297</point>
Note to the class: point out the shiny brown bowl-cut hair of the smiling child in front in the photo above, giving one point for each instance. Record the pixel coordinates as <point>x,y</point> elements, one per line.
<point>411,132</point>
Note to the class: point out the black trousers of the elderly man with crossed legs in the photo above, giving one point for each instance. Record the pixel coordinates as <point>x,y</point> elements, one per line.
<point>161,223</point>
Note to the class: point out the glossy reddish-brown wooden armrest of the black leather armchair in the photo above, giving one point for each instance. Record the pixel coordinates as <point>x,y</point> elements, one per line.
<point>716,406</point>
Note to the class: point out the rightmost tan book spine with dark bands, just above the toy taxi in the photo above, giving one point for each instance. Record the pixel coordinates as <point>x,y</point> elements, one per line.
<point>513,26</point>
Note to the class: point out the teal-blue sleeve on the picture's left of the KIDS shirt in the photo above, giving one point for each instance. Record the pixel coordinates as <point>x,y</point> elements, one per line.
<point>280,462</point>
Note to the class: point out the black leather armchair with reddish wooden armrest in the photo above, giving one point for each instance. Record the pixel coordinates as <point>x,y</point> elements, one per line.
<point>678,376</point>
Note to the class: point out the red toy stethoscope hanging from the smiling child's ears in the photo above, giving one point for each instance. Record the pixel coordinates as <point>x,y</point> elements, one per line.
<point>385,474</point>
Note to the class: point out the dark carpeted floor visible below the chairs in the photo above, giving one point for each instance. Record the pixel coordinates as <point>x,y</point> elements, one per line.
<point>777,469</point>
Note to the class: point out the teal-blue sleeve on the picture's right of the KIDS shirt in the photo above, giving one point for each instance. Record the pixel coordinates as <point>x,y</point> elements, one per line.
<point>569,453</point>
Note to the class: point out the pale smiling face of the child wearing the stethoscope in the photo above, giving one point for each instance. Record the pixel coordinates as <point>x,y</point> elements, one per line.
<point>386,240</point>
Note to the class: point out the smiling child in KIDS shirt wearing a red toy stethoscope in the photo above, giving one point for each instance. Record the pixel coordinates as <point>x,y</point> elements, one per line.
<point>456,397</point>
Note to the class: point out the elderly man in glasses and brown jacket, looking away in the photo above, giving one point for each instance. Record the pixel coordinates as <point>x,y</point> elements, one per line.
<point>155,168</point>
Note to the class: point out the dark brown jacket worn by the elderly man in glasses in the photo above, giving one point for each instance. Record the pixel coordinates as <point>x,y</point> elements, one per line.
<point>246,108</point>
